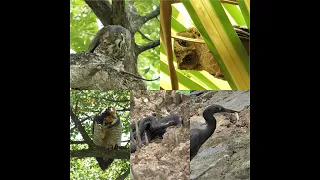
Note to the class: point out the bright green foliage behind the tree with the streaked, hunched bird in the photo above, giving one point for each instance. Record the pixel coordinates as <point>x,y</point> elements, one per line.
<point>84,26</point>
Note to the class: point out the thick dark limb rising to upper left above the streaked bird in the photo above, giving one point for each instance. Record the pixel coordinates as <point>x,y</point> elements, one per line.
<point>102,9</point>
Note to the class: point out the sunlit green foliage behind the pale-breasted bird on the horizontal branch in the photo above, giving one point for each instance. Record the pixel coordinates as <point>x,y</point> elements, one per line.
<point>86,104</point>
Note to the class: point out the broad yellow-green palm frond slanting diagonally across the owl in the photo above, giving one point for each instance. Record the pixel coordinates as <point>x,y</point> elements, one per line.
<point>215,27</point>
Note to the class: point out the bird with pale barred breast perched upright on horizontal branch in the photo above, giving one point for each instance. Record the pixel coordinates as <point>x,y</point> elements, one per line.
<point>106,130</point>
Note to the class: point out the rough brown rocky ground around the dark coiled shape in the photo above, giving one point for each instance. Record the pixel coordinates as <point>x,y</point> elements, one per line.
<point>166,158</point>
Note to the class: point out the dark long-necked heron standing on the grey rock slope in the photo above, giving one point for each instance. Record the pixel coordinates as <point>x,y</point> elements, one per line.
<point>199,136</point>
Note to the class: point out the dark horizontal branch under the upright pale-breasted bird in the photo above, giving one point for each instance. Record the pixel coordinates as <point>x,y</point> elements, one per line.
<point>96,151</point>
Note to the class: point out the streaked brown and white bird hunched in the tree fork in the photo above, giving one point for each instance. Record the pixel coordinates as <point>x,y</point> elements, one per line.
<point>112,40</point>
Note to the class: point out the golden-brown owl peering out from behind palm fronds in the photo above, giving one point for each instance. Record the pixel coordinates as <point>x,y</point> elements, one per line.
<point>193,54</point>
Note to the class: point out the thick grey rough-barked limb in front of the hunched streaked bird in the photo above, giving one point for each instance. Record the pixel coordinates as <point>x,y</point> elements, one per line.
<point>88,71</point>
